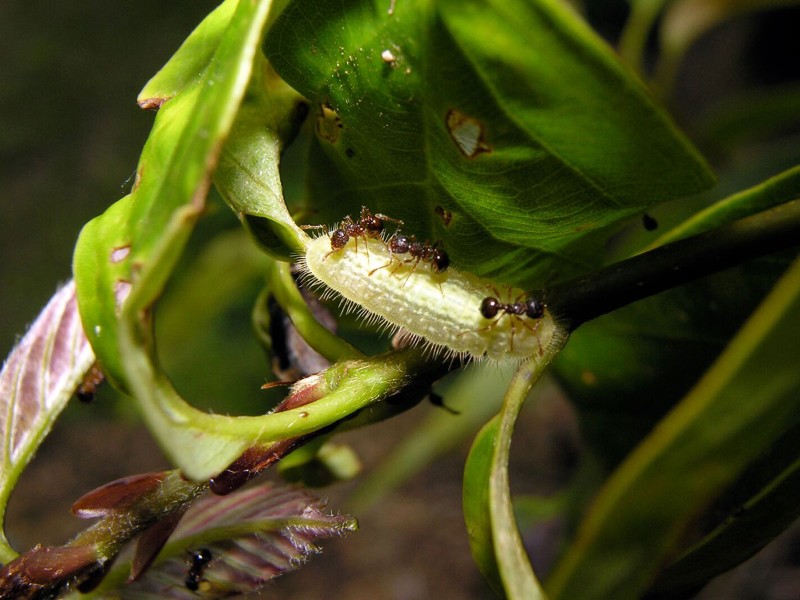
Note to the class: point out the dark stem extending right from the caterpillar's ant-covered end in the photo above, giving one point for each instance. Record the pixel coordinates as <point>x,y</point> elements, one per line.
<point>594,294</point>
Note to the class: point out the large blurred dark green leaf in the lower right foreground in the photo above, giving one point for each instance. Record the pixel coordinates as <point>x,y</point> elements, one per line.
<point>741,406</point>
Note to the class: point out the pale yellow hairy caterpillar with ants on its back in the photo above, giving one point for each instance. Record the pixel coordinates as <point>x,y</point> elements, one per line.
<point>441,309</point>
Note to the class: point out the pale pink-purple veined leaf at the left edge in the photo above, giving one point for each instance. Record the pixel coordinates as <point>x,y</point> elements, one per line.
<point>38,378</point>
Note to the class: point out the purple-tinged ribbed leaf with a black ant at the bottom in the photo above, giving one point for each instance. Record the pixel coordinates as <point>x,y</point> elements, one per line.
<point>246,539</point>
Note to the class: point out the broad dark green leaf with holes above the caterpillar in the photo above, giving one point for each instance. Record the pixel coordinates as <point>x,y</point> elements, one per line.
<point>520,144</point>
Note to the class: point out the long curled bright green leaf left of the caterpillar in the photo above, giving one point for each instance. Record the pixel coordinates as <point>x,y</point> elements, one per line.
<point>124,257</point>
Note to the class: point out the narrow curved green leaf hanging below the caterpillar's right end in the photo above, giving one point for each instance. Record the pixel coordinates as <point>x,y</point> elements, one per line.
<point>488,511</point>
